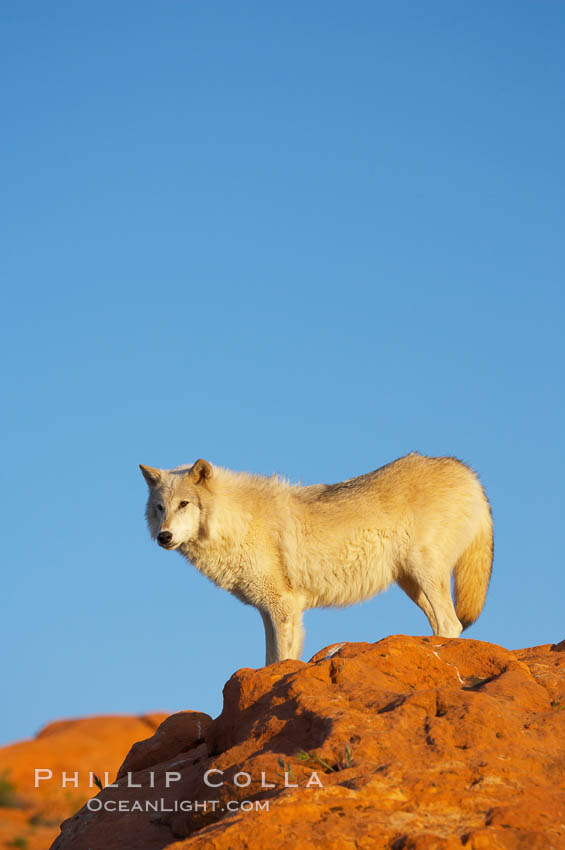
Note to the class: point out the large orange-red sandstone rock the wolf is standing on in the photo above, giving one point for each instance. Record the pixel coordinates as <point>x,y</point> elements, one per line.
<point>410,743</point>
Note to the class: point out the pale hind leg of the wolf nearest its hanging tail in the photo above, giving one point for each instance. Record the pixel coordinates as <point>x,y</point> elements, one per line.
<point>434,585</point>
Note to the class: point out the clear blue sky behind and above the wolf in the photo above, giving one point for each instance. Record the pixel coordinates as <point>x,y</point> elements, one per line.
<point>302,238</point>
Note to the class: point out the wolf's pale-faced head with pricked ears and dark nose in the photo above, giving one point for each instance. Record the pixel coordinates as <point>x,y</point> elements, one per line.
<point>176,507</point>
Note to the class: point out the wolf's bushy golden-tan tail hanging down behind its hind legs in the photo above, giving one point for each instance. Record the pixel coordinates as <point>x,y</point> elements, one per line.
<point>472,574</point>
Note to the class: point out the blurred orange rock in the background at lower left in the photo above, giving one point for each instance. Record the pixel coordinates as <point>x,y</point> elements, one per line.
<point>71,750</point>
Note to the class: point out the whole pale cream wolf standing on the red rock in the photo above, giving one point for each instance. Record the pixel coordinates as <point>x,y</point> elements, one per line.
<point>286,548</point>
